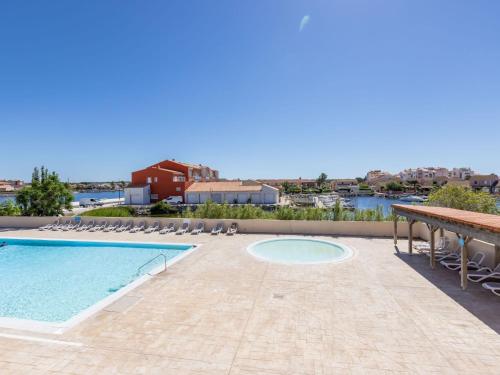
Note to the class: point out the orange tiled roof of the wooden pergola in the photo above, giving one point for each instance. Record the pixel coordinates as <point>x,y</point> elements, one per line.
<point>474,219</point>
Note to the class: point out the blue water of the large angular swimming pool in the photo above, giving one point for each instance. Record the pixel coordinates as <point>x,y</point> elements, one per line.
<point>52,281</point>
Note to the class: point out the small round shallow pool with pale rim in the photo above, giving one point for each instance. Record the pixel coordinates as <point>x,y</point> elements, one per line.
<point>299,251</point>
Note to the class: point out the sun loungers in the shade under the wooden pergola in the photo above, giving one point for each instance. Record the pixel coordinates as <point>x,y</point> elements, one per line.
<point>477,272</point>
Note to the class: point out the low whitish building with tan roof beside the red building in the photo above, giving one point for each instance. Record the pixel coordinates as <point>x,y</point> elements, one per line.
<point>240,192</point>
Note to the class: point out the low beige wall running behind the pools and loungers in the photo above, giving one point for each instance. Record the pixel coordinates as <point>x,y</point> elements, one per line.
<point>345,228</point>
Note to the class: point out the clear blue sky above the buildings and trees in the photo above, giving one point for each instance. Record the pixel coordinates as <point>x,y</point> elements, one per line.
<point>96,89</point>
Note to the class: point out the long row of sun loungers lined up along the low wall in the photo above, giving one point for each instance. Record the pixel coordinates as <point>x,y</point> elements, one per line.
<point>118,226</point>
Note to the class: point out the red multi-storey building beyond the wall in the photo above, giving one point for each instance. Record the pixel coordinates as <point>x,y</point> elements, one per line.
<point>170,177</point>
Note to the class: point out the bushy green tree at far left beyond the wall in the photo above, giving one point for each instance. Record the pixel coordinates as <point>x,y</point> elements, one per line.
<point>47,195</point>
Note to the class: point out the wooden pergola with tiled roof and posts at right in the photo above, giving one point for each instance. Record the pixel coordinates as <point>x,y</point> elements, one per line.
<point>466,224</point>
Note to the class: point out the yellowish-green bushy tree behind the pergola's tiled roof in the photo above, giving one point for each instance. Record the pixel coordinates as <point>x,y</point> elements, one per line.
<point>462,198</point>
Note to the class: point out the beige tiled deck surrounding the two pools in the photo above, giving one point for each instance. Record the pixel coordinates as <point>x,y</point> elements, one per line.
<point>221,311</point>
